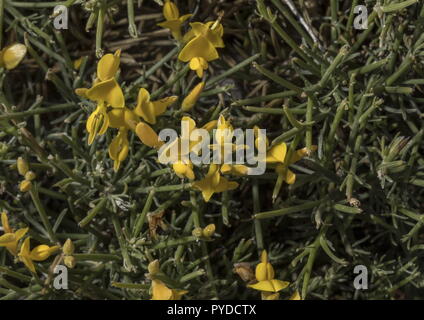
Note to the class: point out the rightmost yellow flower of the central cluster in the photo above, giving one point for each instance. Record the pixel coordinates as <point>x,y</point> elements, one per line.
<point>277,156</point>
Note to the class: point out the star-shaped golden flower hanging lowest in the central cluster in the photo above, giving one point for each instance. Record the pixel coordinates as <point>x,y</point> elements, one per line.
<point>214,183</point>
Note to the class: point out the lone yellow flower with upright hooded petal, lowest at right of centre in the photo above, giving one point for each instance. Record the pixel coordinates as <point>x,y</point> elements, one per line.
<point>264,274</point>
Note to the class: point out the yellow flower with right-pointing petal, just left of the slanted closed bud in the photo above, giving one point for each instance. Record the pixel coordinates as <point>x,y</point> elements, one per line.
<point>149,110</point>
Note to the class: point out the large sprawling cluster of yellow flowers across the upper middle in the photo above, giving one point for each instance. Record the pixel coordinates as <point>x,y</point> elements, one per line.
<point>199,46</point>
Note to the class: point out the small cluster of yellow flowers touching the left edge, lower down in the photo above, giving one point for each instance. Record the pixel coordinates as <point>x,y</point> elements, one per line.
<point>10,240</point>
